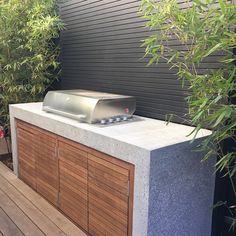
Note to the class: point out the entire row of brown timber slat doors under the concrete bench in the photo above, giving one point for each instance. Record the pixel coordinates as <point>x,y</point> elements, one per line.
<point>93,189</point>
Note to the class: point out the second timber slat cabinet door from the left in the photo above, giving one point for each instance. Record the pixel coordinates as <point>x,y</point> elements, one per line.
<point>47,166</point>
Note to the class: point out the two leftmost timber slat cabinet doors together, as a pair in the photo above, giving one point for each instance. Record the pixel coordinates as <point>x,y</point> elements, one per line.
<point>38,163</point>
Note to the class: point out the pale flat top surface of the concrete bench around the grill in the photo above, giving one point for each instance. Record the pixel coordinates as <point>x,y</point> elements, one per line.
<point>145,133</point>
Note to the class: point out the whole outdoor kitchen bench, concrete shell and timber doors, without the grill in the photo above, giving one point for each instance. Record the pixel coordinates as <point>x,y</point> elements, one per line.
<point>166,191</point>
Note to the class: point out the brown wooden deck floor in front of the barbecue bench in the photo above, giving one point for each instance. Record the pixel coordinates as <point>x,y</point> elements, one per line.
<point>24,212</point>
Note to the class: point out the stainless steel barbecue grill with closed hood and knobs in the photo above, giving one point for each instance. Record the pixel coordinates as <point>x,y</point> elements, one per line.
<point>90,106</point>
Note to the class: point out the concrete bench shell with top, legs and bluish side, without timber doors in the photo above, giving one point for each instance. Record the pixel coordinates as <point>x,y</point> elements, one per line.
<point>173,190</point>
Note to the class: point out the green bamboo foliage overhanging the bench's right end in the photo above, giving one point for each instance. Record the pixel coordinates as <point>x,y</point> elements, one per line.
<point>203,28</point>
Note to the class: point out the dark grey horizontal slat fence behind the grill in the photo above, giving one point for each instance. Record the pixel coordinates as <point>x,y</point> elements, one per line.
<point>101,51</point>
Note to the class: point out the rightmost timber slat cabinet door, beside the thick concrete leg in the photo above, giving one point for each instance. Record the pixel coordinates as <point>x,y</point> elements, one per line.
<point>110,196</point>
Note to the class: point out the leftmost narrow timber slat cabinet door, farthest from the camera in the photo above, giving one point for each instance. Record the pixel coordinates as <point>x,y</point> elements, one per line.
<point>26,154</point>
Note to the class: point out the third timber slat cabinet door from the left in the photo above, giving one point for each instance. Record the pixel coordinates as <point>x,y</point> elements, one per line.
<point>73,182</point>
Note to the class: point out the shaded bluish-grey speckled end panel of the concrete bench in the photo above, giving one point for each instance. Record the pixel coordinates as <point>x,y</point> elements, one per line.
<point>181,192</point>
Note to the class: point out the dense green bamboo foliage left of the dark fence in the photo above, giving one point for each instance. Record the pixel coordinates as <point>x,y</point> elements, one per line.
<point>28,51</point>
